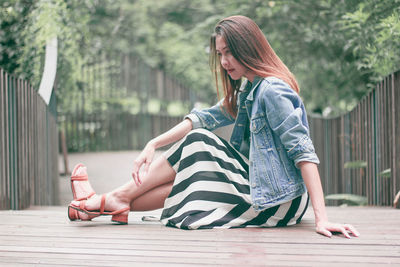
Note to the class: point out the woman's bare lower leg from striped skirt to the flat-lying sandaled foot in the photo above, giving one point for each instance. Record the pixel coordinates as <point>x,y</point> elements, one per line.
<point>159,173</point>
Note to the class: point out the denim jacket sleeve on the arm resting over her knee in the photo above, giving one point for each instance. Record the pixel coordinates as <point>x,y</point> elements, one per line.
<point>210,118</point>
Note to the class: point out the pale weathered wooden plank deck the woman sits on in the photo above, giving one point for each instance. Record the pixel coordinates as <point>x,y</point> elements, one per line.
<point>45,236</point>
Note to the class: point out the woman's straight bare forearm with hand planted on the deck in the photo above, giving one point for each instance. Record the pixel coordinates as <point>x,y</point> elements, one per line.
<point>312,180</point>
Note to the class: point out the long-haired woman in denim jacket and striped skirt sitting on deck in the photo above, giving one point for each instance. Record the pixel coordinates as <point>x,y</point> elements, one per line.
<point>263,177</point>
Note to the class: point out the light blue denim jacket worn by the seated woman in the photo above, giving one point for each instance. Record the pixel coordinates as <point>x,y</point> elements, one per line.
<point>279,139</point>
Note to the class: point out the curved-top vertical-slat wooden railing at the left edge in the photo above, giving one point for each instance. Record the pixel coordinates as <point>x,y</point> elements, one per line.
<point>28,146</point>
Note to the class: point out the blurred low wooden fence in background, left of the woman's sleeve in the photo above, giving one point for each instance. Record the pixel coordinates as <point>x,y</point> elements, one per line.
<point>113,130</point>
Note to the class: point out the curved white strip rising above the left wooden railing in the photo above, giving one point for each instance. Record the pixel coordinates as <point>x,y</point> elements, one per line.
<point>49,72</point>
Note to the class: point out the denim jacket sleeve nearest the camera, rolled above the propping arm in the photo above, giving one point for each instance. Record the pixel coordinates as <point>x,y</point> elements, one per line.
<point>287,117</point>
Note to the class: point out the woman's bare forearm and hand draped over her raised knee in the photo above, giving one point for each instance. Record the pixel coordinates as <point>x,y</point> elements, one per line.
<point>146,156</point>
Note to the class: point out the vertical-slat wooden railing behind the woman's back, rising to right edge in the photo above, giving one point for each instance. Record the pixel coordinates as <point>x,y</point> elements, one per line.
<point>360,151</point>
